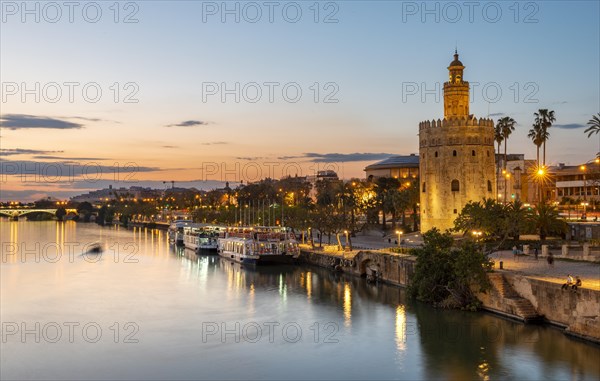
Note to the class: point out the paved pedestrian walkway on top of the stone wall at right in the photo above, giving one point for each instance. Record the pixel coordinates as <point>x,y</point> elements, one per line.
<point>589,272</point>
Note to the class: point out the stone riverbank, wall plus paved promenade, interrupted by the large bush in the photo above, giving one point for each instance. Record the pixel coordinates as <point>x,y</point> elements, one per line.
<point>525,295</point>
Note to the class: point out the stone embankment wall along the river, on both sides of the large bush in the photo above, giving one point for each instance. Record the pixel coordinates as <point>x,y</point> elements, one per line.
<point>577,311</point>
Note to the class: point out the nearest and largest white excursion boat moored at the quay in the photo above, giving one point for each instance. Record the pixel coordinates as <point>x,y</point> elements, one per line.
<point>258,245</point>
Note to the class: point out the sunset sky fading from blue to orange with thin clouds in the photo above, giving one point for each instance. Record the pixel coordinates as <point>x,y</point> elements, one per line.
<point>367,77</point>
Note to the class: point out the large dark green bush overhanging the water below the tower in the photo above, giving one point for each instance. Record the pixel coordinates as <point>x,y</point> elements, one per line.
<point>447,276</point>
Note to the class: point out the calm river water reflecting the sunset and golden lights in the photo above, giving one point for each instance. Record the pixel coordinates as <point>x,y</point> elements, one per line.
<point>143,310</point>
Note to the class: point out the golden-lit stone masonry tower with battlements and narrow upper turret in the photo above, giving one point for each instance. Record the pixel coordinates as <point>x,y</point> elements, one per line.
<point>457,157</point>
